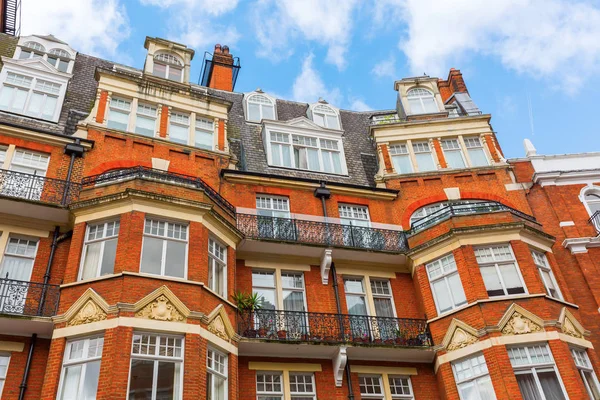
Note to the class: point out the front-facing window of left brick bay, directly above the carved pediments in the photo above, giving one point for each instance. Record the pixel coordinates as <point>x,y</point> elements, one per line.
<point>164,248</point>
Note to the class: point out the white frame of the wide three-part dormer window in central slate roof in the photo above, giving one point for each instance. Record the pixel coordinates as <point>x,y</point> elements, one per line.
<point>289,146</point>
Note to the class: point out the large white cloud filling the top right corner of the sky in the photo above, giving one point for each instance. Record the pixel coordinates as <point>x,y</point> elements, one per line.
<point>555,39</point>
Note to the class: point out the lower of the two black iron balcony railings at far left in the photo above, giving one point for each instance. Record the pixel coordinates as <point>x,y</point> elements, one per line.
<point>28,298</point>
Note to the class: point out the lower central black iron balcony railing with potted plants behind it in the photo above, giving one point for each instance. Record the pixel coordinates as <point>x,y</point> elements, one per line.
<point>280,325</point>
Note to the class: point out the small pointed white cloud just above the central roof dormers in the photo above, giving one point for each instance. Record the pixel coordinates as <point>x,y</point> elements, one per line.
<point>309,86</point>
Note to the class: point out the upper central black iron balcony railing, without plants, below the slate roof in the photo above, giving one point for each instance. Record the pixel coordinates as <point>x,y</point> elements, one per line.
<point>320,233</point>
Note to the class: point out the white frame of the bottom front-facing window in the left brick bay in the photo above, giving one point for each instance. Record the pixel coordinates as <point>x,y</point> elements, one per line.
<point>156,358</point>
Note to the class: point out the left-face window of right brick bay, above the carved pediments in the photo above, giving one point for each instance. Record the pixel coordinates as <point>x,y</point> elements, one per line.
<point>445,284</point>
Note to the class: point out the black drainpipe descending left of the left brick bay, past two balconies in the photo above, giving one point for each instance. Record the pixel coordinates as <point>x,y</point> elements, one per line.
<point>74,150</point>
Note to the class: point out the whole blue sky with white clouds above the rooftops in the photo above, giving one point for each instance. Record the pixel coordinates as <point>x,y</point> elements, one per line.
<point>515,55</point>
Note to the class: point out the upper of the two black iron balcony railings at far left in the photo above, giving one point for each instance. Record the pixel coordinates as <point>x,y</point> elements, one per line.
<point>38,188</point>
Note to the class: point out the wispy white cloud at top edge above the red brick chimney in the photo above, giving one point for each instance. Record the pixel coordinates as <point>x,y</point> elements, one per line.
<point>192,22</point>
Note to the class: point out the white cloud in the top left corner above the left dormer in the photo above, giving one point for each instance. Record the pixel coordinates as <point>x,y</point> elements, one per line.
<point>94,27</point>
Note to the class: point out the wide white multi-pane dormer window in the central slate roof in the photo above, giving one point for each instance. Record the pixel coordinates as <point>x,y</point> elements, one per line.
<point>306,152</point>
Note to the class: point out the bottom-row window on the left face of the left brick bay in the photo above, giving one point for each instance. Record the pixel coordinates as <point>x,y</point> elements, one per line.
<point>81,369</point>
